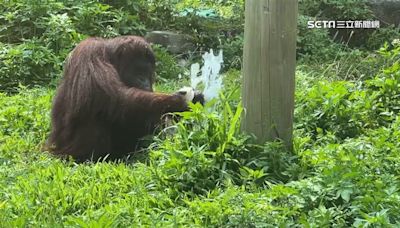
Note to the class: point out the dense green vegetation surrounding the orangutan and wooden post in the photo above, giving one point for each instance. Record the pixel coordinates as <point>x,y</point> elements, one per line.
<point>344,170</point>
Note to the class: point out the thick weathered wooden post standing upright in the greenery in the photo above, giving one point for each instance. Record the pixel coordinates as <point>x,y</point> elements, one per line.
<point>269,62</point>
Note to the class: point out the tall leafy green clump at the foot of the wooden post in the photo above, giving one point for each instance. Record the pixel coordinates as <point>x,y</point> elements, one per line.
<point>207,151</point>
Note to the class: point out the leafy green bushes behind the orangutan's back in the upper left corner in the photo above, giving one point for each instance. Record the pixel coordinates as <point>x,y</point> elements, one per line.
<point>41,34</point>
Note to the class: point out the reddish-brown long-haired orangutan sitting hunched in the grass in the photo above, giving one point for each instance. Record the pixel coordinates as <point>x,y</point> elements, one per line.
<point>105,102</point>
